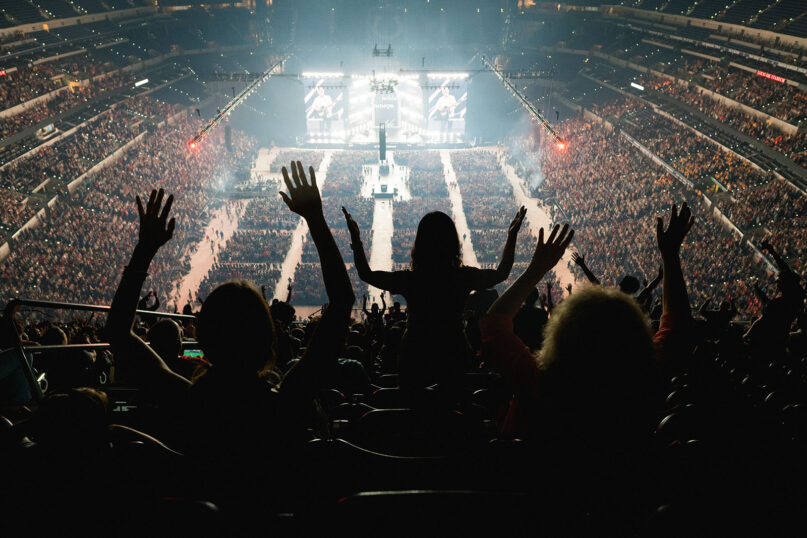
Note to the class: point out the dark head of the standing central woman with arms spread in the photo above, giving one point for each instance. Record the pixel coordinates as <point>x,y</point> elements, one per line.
<point>437,245</point>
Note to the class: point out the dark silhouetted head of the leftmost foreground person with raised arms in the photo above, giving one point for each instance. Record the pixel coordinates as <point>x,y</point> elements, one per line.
<point>235,329</point>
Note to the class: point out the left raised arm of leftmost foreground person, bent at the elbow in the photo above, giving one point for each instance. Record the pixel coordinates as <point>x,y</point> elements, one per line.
<point>133,355</point>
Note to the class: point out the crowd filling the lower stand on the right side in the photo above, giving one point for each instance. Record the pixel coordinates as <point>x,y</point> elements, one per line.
<point>604,186</point>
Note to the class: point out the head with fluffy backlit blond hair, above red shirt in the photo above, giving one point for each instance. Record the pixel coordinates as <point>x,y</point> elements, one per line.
<point>597,355</point>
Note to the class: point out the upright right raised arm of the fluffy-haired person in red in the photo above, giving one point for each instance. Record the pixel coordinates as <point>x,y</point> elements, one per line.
<point>674,291</point>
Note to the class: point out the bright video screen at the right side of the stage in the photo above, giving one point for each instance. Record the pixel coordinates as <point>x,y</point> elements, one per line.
<point>448,98</point>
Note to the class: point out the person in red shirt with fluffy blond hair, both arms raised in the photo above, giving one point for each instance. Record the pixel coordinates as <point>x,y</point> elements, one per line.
<point>598,351</point>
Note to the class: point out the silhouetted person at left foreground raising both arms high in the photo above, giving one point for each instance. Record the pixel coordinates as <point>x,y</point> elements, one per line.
<point>236,412</point>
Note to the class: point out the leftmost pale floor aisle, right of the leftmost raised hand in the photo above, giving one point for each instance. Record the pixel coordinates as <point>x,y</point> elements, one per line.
<point>225,220</point>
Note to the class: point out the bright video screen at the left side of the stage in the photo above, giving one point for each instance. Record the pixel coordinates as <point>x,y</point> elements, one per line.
<point>325,106</point>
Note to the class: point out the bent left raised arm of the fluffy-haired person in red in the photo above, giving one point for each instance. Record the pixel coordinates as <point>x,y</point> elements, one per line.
<point>546,256</point>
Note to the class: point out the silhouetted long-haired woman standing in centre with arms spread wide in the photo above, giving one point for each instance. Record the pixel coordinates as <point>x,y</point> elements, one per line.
<point>436,286</point>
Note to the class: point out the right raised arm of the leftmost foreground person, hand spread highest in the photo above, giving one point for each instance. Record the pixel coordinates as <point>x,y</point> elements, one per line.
<point>308,375</point>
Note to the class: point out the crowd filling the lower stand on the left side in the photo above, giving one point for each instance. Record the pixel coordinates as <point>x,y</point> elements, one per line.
<point>62,257</point>
